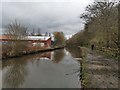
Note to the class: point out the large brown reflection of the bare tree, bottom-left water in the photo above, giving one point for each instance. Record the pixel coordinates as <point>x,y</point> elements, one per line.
<point>15,75</point>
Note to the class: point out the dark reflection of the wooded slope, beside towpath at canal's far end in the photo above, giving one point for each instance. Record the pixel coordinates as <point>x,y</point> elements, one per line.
<point>75,52</point>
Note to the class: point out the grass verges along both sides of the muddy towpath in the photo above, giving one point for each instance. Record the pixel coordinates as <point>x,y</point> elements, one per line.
<point>85,74</point>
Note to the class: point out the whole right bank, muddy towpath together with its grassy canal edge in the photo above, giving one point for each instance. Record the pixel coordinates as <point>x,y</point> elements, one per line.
<point>98,71</point>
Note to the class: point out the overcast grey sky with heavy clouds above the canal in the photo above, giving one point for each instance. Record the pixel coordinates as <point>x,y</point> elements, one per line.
<point>48,15</point>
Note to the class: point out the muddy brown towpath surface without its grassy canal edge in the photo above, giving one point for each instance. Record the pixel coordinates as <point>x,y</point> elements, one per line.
<point>102,71</point>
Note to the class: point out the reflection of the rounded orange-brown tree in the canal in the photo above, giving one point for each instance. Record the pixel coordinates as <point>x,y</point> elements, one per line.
<point>58,55</point>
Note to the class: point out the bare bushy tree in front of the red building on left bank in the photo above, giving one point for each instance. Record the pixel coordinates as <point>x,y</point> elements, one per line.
<point>17,33</point>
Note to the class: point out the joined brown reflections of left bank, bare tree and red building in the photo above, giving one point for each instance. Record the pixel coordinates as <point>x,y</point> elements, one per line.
<point>16,72</point>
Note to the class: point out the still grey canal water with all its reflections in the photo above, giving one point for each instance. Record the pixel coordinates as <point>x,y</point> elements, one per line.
<point>56,69</point>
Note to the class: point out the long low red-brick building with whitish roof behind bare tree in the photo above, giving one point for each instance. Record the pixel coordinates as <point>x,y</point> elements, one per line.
<point>43,41</point>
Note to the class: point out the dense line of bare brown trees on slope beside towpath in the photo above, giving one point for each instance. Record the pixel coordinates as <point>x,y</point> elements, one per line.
<point>100,26</point>
